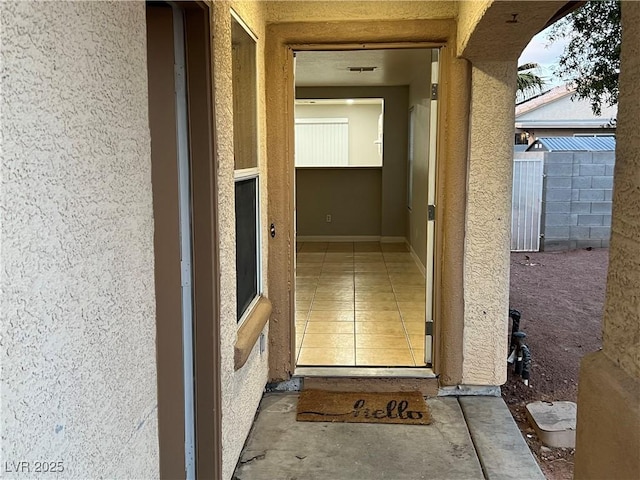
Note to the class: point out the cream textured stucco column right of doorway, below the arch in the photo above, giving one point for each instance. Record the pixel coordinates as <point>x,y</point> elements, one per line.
<point>488,215</point>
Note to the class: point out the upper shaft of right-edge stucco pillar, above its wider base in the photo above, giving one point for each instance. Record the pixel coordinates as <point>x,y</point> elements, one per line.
<point>621,336</point>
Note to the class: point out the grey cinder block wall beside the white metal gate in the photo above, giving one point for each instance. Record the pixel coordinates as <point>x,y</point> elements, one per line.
<point>576,200</point>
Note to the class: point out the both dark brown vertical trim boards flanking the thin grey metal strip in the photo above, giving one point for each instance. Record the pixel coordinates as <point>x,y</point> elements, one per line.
<point>206,297</point>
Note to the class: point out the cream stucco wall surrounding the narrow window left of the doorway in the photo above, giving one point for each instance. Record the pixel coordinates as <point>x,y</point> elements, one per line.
<point>241,390</point>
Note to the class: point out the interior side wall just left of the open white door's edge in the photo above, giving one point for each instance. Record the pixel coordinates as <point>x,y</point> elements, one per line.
<point>420,101</point>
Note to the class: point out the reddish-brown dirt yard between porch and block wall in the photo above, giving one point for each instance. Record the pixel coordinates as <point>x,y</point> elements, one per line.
<point>560,297</point>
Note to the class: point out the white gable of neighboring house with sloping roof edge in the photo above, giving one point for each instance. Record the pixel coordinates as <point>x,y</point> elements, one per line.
<point>557,109</point>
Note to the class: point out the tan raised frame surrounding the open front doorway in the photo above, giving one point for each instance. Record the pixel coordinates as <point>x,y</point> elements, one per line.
<point>281,41</point>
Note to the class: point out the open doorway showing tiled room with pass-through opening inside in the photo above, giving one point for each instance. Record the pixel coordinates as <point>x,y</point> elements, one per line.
<point>365,177</point>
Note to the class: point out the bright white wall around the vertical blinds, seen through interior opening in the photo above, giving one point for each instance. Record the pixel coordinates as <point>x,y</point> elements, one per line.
<point>363,128</point>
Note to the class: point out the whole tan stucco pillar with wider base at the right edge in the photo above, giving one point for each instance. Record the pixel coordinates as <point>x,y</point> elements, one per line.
<point>608,429</point>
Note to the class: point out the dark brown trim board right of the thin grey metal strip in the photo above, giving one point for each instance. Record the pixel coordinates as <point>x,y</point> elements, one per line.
<point>208,400</point>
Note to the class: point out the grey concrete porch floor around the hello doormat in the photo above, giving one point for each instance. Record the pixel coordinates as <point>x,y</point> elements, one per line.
<point>469,438</point>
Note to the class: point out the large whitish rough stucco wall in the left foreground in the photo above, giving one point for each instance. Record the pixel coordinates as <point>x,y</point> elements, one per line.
<point>78,307</point>
